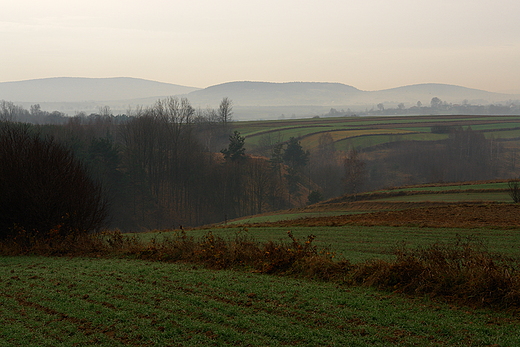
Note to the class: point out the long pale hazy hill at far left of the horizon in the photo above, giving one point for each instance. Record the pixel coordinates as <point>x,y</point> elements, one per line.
<point>77,89</point>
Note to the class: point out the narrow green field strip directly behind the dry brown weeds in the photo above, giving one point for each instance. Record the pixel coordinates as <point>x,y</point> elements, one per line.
<point>361,243</point>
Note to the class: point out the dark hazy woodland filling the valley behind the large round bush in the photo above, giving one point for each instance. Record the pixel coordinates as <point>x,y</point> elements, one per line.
<point>171,165</point>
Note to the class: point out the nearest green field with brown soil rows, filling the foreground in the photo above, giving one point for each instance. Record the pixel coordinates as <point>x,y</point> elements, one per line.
<point>121,302</point>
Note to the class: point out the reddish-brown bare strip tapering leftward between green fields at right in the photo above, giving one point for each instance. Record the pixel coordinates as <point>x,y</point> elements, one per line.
<point>452,216</point>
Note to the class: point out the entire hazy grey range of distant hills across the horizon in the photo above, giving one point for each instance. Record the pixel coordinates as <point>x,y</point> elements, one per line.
<point>251,100</point>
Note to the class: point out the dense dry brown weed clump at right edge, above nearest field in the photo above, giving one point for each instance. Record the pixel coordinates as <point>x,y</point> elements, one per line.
<point>463,272</point>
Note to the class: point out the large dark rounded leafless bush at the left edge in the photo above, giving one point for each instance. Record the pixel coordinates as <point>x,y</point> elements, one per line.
<point>46,192</point>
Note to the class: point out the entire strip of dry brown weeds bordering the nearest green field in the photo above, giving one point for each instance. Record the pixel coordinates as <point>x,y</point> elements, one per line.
<point>462,272</point>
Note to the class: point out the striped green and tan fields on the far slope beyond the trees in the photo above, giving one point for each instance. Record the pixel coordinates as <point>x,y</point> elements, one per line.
<point>351,132</point>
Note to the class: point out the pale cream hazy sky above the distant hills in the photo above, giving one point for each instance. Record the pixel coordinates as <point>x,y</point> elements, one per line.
<point>369,44</point>
